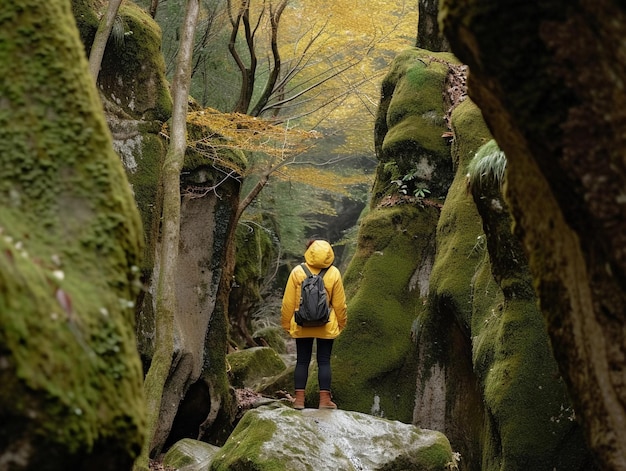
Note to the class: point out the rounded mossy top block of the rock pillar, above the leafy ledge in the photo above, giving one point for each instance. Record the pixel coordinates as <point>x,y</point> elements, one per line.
<point>411,126</point>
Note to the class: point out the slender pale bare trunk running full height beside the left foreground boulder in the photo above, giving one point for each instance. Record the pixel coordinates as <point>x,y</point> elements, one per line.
<point>166,302</point>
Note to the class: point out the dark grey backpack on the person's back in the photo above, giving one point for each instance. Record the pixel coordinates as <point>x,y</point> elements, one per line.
<point>313,310</point>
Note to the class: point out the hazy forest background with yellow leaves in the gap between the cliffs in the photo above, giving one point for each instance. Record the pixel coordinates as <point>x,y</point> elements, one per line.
<point>332,60</point>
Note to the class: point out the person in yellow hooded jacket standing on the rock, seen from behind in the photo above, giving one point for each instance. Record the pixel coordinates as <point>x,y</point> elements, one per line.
<point>318,255</point>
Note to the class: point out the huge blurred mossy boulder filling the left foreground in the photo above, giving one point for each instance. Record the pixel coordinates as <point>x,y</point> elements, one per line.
<point>71,243</point>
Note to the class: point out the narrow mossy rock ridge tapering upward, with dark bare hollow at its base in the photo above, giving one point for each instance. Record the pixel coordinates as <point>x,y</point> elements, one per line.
<point>448,397</point>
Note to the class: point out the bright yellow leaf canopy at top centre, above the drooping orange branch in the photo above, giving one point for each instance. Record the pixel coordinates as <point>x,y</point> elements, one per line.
<point>368,34</point>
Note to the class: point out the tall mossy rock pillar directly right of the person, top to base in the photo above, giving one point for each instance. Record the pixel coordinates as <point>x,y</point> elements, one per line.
<point>374,360</point>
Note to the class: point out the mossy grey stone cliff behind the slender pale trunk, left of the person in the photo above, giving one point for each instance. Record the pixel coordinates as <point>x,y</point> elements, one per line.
<point>137,102</point>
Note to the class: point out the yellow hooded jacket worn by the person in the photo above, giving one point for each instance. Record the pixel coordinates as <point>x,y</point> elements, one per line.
<point>318,256</point>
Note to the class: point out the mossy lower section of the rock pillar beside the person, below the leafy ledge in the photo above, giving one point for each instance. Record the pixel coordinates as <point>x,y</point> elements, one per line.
<point>374,357</point>
